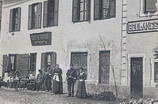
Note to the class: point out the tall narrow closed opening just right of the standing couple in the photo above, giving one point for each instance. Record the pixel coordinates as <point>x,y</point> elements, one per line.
<point>104,67</point>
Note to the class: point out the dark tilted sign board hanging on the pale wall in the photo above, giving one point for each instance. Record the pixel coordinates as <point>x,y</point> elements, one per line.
<point>40,39</point>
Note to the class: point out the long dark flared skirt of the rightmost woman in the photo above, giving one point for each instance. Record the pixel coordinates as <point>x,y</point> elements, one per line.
<point>81,90</point>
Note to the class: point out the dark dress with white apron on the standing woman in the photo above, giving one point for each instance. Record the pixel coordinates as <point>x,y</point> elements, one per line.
<point>57,81</point>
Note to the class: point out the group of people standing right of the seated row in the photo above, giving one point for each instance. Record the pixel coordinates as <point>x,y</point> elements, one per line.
<point>51,80</point>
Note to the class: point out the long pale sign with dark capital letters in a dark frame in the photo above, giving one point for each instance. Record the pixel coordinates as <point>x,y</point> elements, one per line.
<point>142,26</point>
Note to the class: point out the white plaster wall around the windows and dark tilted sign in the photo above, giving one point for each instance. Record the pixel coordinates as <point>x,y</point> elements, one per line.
<point>90,36</point>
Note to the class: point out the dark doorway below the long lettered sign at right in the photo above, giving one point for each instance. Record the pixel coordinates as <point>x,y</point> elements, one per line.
<point>136,77</point>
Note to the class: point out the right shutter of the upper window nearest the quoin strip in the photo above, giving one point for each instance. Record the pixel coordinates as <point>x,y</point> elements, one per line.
<point>112,9</point>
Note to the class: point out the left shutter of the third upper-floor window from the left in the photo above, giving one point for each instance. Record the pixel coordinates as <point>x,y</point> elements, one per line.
<point>45,14</point>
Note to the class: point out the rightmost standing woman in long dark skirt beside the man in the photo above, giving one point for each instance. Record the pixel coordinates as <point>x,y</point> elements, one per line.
<point>81,90</point>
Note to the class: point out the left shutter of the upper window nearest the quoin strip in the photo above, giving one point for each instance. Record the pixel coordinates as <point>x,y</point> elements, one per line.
<point>97,9</point>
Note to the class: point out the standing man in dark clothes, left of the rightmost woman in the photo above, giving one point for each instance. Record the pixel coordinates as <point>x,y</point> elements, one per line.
<point>71,79</point>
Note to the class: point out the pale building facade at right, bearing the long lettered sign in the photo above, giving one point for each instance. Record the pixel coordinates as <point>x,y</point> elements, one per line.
<point>142,42</point>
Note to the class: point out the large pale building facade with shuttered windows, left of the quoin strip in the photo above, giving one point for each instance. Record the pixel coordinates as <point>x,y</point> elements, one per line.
<point>37,33</point>
